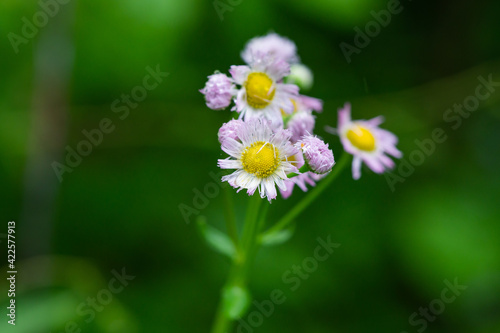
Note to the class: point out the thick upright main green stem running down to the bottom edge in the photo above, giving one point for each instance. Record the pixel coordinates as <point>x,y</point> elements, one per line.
<point>241,264</point>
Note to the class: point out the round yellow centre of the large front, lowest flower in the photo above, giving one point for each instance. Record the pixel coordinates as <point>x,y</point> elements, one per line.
<point>260,159</point>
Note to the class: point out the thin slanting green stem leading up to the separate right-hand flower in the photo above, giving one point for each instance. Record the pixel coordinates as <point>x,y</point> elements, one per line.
<point>310,197</point>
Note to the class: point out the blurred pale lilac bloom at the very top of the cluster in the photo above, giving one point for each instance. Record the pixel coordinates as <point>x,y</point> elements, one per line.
<point>273,44</point>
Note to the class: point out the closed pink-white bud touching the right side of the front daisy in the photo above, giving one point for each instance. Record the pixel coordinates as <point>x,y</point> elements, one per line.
<point>317,156</point>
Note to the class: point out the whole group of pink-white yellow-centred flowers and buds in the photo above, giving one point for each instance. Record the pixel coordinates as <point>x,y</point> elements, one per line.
<point>271,143</point>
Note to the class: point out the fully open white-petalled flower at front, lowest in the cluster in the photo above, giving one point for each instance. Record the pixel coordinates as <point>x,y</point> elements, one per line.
<point>261,158</point>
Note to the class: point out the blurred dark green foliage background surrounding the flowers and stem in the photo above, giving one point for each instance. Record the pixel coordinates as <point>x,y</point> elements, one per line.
<point>119,208</point>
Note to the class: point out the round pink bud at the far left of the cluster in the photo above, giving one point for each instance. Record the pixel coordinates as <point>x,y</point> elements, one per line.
<point>219,91</point>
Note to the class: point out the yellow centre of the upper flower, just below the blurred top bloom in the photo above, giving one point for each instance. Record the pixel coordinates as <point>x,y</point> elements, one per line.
<point>260,90</point>
